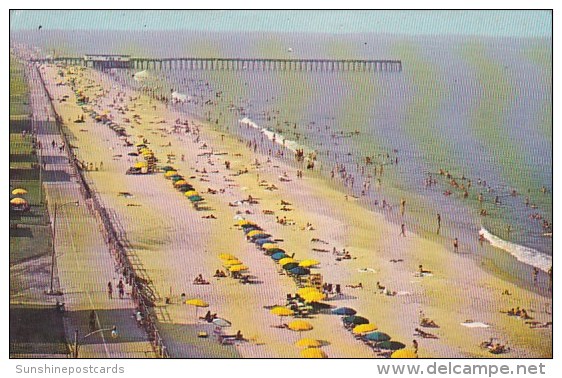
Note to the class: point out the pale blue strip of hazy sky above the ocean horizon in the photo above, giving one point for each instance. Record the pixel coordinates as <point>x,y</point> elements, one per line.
<point>472,22</point>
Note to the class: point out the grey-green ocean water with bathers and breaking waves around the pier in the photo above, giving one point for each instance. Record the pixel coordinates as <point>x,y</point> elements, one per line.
<point>477,108</point>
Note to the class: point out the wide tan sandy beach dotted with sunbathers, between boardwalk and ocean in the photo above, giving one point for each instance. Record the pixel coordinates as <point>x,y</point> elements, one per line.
<point>173,242</point>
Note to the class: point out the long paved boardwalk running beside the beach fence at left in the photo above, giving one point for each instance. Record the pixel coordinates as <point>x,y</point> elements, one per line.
<point>84,265</point>
